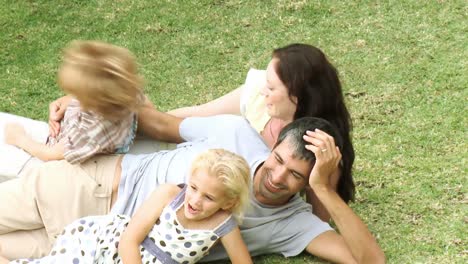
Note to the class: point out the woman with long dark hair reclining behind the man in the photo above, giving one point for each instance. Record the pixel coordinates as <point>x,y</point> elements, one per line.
<point>299,81</point>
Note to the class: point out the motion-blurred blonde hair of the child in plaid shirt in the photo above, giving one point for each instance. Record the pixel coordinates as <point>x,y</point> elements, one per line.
<point>102,77</point>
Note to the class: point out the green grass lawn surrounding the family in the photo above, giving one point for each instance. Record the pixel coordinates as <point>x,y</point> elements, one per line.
<point>403,65</point>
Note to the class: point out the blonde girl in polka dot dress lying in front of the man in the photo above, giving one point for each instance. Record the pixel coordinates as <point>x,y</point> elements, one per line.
<point>176,224</point>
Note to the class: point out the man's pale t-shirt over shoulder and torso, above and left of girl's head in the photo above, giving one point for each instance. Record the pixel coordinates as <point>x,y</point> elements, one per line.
<point>141,174</point>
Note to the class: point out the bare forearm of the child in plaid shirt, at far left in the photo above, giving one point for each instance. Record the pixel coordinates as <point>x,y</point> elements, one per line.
<point>17,136</point>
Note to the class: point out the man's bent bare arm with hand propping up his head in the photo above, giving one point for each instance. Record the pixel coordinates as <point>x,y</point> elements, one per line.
<point>355,244</point>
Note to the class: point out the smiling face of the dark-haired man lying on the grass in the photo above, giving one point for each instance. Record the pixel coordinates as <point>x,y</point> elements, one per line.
<point>281,176</point>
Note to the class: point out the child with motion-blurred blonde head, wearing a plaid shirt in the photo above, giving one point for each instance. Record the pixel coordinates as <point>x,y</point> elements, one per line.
<point>105,90</point>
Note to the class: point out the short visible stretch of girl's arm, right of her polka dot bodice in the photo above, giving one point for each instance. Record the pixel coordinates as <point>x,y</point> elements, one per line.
<point>236,248</point>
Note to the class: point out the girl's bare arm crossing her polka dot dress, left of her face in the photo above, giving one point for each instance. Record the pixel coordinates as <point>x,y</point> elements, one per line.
<point>142,222</point>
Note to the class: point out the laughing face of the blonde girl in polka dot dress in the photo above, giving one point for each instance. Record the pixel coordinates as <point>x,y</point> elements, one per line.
<point>205,196</point>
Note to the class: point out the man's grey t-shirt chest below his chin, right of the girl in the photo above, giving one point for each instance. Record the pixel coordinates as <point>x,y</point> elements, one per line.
<point>287,229</point>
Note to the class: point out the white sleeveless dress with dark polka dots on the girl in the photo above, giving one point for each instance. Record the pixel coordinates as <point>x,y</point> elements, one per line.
<point>95,239</point>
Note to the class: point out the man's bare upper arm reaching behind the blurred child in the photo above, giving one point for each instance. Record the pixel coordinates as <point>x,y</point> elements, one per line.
<point>158,125</point>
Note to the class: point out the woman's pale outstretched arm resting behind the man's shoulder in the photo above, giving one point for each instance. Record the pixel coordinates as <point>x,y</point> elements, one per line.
<point>226,104</point>
